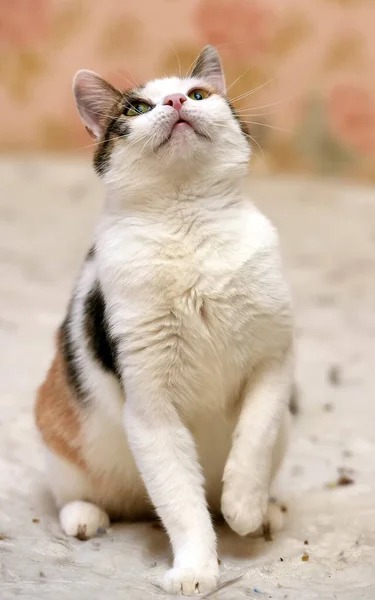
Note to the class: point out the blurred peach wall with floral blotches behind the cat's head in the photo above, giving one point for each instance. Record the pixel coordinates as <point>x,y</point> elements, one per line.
<point>309,65</point>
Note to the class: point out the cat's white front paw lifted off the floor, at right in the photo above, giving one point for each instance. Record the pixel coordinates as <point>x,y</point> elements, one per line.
<point>243,508</point>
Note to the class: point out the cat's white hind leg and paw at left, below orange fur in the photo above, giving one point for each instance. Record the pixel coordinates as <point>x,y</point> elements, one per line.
<point>72,490</point>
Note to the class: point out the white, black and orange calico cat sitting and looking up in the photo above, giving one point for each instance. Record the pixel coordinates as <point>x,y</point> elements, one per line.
<point>168,393</point>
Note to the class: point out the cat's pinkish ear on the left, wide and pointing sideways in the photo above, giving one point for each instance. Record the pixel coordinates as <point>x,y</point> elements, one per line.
<point>95,99</point>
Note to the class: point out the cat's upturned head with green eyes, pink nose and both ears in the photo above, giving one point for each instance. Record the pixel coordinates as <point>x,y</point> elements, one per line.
<point>166,125</point>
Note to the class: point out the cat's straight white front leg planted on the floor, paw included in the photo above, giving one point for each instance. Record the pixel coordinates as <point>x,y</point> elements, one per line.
<point>166,456</point>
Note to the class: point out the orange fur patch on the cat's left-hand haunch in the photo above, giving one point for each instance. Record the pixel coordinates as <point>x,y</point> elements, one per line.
<point>57,415</point>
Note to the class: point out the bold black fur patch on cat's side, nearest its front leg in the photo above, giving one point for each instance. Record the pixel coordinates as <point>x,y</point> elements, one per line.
<point>99,339</point>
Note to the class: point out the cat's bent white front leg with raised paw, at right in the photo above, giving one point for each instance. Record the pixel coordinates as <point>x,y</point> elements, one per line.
<point>257,443</point>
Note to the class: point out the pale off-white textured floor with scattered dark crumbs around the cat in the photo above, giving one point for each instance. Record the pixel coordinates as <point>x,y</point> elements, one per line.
<point>47,210</point>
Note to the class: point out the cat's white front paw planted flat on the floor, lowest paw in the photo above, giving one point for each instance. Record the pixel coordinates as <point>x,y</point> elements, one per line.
<point>190,582</point>
